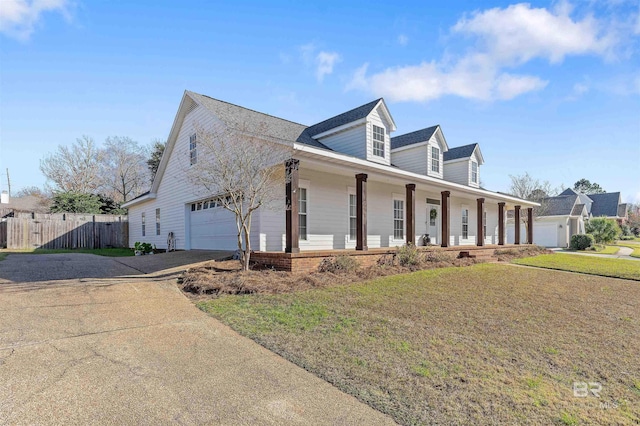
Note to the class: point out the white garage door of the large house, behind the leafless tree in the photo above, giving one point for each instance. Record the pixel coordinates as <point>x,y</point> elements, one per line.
<point>212,227</point>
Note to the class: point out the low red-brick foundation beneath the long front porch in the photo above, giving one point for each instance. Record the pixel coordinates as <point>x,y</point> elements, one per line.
<point>308,261</point>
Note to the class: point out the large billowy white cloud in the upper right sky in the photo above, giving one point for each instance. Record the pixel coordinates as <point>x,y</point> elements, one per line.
<point>504,39</point>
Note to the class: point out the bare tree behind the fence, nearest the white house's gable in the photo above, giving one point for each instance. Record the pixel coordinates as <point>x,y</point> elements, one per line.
<point>124,169</point>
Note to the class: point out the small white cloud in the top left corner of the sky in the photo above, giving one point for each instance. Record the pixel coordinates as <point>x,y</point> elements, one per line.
<point>18,18</point>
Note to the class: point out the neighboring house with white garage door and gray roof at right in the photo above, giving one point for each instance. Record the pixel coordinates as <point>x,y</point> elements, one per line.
<point>567,214</point>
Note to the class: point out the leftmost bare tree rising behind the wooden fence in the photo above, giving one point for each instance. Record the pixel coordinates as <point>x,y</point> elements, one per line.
<point>75,168</point>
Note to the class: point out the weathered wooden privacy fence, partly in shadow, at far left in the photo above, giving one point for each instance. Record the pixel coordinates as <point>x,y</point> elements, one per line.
<point>54,231</point>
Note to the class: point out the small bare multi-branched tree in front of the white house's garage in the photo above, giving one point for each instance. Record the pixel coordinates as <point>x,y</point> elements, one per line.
<point>243,170</point>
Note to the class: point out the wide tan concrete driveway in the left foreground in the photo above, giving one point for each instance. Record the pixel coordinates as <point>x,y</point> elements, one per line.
<point>113,350</point>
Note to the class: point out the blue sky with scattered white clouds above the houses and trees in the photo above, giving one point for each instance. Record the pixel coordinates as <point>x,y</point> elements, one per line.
<point>549,88</point>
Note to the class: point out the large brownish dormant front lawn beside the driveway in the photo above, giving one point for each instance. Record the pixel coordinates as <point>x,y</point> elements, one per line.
<point>486,344</point>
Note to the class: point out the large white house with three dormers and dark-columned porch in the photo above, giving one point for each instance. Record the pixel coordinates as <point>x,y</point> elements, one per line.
<point>413,185</point>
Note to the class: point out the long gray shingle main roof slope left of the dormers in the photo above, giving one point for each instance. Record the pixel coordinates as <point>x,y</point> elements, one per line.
<point>256,122</point>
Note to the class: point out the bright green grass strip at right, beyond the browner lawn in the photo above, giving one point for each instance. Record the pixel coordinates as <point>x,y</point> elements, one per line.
<point>618,268</point>
